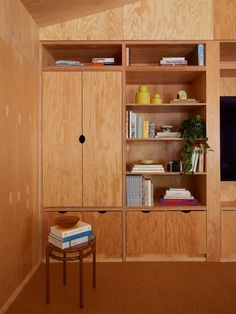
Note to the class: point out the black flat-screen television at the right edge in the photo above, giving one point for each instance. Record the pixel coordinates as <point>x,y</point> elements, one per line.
<point>228,138</point>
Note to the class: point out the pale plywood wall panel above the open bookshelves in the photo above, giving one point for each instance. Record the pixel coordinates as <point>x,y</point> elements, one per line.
<point>181,19</point>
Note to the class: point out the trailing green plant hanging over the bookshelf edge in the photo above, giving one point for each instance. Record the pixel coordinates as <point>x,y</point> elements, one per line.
<point>193,131</point>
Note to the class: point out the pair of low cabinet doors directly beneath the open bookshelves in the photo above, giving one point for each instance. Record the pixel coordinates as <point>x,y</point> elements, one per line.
<point>166,235</point>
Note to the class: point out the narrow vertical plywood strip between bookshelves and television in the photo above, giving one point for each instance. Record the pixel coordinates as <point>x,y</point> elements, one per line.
<point>213,157</point>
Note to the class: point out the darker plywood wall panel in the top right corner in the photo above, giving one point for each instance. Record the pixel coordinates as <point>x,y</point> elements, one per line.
<point>224,17</point>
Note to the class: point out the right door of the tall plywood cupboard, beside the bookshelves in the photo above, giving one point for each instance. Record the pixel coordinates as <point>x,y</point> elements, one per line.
<point>102,150</point>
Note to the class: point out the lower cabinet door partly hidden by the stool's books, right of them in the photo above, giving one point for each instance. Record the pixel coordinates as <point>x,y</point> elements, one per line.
<point>108,229</point>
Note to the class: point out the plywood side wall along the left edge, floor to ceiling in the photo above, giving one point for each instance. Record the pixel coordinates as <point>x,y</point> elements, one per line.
<point>19,100</point>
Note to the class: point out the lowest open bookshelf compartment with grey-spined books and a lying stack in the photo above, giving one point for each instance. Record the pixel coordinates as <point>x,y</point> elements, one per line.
<point>151,191</point>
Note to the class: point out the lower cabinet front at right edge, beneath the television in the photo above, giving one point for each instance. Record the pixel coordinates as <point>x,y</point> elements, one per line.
<point>228,235</point>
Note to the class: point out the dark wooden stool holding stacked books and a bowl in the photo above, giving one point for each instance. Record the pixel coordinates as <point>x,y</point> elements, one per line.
<point>79,252</point>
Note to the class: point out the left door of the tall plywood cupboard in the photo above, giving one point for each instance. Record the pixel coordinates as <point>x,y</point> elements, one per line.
<point>62,151</point>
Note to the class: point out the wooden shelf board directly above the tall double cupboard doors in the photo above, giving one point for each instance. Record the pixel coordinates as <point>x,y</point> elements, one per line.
<point>82,68</point>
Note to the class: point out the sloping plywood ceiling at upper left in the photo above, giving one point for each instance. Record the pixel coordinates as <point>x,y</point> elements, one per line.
<point>48,12</point>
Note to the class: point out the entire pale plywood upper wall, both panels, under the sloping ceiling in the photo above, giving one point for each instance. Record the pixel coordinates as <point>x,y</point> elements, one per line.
<point>146,19</point>
